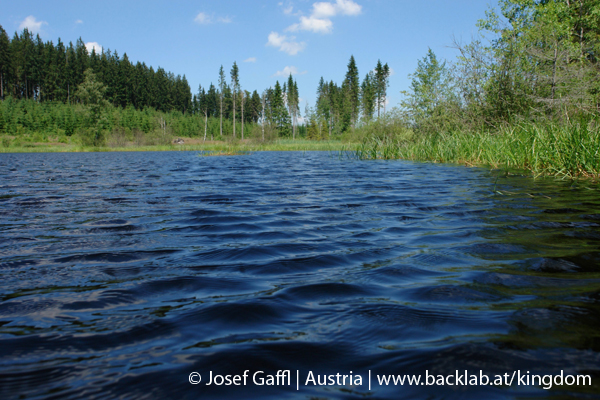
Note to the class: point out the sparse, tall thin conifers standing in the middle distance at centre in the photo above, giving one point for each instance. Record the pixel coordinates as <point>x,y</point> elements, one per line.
<point>338,108</point>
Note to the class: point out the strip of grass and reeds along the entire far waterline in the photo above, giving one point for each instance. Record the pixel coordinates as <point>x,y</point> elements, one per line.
<point>571,150</point>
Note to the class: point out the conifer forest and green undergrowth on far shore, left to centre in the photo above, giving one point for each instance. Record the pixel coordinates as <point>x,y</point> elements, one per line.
<point>60,91</point>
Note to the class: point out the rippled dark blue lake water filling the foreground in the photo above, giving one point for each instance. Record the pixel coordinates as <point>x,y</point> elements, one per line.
<point>122,273</point>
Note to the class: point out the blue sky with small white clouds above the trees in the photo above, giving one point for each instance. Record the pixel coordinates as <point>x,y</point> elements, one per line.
<point>267,38</point>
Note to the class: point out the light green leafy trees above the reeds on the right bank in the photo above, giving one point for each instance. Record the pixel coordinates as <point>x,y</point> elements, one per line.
<point>533,60</point>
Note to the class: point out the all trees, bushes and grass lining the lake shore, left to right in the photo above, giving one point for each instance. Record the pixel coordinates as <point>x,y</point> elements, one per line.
<point>530,76</point>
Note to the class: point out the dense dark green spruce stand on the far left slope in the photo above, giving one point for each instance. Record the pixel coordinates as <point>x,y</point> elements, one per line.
<point>32,69</point>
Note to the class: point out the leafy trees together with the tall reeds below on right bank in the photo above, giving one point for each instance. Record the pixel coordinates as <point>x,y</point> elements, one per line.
<point>525,93</point>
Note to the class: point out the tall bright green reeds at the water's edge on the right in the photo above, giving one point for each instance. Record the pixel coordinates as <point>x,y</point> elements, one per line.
<point>570,150</point>
